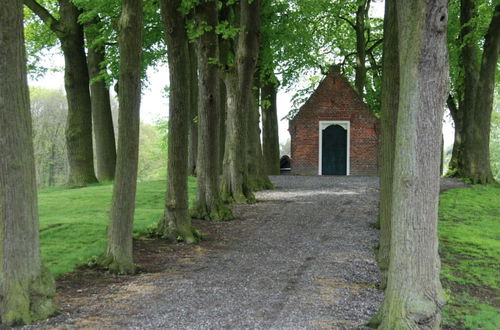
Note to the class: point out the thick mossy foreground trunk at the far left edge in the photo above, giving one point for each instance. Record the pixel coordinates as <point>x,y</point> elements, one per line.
<point>27,288</point>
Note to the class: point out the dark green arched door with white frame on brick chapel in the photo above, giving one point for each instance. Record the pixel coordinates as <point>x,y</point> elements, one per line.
<point>334,148</point>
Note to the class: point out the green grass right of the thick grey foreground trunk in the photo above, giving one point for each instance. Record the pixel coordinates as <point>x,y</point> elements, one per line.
<point>469,232</point>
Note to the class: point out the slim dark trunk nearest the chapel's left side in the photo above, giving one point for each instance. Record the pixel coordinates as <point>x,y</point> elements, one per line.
<point>270,136</point>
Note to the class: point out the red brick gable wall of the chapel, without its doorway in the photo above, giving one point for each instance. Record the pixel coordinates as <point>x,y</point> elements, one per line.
<point>334,100</point>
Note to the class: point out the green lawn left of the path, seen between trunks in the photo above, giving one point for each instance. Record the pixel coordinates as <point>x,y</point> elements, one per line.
<point>73,222</point>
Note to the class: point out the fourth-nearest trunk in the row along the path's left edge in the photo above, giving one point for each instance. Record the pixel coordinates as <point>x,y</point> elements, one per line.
<point>209,204</point>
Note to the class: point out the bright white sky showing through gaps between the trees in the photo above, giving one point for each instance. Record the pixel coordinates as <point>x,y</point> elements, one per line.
<point>154,103</point>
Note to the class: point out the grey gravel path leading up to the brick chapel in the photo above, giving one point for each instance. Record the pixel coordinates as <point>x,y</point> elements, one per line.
<point>302,257</point>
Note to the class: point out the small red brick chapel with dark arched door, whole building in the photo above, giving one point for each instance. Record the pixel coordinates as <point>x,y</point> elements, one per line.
<point>334,132</point>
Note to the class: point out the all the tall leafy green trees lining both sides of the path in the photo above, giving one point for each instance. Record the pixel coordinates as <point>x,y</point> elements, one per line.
<point>226,61</point>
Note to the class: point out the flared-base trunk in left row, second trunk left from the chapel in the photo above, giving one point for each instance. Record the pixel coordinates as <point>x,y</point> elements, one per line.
<point>258,179</point>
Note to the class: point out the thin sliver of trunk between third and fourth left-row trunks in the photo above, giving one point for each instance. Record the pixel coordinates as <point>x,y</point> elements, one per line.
<point>193,110</point>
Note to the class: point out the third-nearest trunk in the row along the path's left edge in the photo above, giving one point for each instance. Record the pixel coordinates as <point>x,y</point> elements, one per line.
<point>176,222</point>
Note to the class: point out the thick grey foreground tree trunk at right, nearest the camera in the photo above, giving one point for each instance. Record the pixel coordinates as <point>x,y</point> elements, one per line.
<point>414,296</point>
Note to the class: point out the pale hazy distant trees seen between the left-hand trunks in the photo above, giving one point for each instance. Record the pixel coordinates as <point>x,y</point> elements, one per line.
<point>49,111</point>
